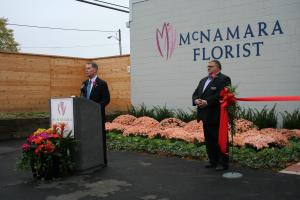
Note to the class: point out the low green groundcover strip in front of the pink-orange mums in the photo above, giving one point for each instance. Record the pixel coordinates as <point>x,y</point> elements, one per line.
<point>270,158</point>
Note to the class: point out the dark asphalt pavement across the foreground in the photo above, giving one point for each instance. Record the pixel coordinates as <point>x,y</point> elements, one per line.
<point>131,175</point>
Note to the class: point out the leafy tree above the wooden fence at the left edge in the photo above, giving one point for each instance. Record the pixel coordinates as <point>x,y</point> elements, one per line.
<point>7,40</point>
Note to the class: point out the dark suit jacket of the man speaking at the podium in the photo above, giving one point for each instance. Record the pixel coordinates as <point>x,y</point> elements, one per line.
<point>99,94</point>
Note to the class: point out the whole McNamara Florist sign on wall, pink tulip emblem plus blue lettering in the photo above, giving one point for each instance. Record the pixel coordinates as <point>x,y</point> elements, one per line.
<point>245,40</point>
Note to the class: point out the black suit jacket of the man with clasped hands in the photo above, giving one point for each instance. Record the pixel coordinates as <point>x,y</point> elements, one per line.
<point>211,113</point>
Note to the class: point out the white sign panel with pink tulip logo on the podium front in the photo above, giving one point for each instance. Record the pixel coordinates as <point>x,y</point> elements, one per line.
<point>62,112</point>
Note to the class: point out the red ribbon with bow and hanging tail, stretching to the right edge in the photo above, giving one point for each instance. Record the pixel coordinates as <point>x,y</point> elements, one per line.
<point>228,99</point>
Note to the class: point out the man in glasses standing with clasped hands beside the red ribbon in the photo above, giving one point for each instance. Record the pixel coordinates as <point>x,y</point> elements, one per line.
<point>207,99</point>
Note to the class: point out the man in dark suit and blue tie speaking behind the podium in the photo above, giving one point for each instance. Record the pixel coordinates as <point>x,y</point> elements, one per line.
<point>96,90</point>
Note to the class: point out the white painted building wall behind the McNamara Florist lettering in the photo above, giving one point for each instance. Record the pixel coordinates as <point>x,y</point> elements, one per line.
<point>157,81</point>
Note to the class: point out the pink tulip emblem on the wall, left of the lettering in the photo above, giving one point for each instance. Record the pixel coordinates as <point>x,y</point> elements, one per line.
<point>166,40</point>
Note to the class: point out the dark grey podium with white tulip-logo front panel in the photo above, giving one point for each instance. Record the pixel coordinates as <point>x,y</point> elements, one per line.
<point>83,118</point>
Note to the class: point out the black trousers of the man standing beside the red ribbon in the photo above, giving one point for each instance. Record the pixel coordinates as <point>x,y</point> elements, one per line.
<point>211,135</point>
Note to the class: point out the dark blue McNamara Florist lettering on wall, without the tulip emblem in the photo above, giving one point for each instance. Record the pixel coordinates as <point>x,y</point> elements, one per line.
<point>222,50</point>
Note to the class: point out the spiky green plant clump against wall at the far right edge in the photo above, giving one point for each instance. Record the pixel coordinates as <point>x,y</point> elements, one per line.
<point>291,120</point>
